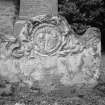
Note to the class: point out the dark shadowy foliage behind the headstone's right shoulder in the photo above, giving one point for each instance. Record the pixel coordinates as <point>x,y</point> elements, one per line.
<point>83,13</point>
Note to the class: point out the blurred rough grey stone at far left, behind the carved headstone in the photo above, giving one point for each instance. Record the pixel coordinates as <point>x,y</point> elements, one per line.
<point>7,11</point>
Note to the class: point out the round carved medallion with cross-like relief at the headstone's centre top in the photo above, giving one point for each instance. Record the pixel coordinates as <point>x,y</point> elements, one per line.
<point>47,39</point>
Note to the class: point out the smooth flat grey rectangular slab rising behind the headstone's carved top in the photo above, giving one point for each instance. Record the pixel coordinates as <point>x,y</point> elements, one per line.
<point>30,8</point>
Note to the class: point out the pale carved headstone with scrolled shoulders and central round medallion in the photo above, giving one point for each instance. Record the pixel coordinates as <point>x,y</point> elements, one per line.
<point>48,51</point>
